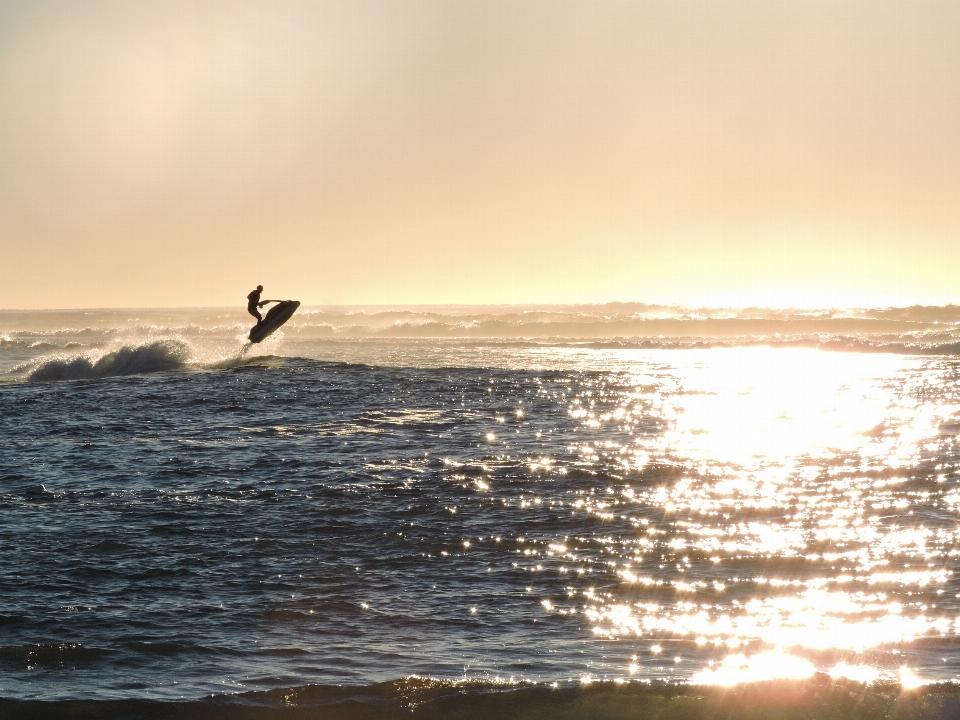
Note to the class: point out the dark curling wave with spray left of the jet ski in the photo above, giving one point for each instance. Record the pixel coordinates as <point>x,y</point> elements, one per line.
<point>153,357</point>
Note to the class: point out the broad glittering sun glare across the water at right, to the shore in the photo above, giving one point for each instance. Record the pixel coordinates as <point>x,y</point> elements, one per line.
<point>783,530</point>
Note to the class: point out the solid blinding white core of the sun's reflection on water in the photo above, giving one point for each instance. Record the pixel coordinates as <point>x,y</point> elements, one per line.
<point>764,404</point>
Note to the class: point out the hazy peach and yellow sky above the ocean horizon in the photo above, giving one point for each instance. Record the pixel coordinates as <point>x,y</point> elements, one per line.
<point>172,153</point>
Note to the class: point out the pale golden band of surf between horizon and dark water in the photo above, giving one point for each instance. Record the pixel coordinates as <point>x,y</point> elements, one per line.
<point>84,344</point>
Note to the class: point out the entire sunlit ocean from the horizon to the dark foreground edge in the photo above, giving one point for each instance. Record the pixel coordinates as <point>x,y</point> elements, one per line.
<point>482,497</point>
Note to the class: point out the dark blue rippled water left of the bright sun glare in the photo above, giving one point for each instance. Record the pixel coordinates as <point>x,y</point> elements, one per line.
<point>280,523</point>
